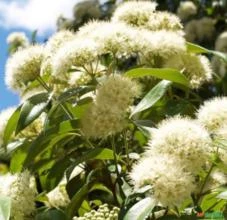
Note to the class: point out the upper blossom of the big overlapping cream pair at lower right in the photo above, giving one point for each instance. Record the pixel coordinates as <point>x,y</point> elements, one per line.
<point>182,138</point>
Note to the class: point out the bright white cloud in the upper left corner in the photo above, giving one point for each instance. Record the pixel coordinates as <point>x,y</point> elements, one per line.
<point>34,14</point>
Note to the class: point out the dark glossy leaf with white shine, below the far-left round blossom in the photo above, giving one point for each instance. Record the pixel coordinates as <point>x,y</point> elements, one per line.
<point>31,109</point>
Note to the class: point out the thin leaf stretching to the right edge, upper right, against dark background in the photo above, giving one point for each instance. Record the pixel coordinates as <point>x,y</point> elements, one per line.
<point>193,48</point>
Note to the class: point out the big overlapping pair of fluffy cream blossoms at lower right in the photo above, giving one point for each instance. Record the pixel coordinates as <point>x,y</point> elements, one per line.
<point>178,150</point>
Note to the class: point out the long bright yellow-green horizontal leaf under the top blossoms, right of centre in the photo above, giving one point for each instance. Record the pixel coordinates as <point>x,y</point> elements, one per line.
<point>161,73</point>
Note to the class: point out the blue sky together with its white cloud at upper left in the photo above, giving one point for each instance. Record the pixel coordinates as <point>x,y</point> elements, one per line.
<point>27,16</point>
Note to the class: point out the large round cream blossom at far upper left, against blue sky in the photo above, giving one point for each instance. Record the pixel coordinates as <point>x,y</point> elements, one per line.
<point>23,67</point>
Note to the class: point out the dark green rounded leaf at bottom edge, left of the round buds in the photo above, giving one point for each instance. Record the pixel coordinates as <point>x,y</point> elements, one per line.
<point>51,214</point>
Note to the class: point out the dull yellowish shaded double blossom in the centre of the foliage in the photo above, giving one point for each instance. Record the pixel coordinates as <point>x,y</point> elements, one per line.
<point>106,116</point>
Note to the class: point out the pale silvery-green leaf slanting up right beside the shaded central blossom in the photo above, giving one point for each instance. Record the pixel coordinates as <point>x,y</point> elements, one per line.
<point>152,97</point>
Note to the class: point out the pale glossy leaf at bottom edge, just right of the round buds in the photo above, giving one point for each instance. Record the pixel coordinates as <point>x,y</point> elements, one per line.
<point>140,210</point>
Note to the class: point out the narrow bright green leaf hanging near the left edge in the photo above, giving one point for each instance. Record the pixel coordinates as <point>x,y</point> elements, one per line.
<point>11,125</point>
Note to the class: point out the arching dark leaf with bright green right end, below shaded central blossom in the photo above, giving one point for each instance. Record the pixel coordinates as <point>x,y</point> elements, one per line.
<point>97,153</point>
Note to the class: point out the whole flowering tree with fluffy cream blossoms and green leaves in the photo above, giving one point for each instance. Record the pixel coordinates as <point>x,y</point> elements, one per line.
<point>114,123</point>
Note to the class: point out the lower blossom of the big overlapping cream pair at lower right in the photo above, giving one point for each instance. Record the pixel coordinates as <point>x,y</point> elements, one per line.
<point>171,184</point>
